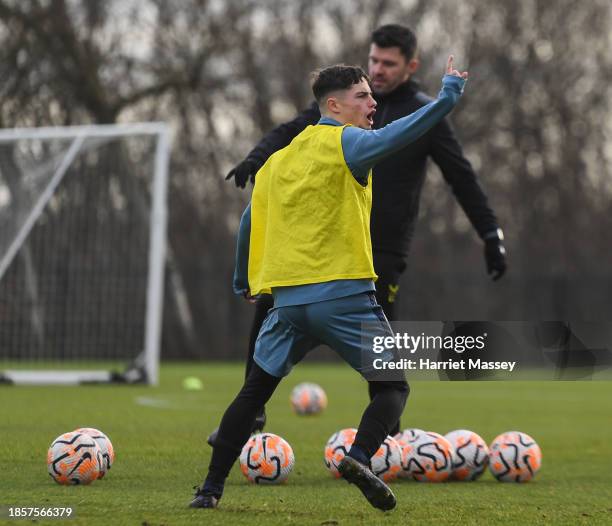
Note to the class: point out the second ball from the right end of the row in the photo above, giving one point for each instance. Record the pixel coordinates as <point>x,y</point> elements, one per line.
<point>471,454</point>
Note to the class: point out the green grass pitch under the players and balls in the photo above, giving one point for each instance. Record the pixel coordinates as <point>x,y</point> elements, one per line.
<point>159,438</point>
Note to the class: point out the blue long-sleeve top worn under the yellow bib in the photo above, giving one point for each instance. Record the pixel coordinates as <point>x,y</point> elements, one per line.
<point>362,149</point>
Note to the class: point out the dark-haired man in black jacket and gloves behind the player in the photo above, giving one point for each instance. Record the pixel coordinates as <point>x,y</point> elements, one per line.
<point>397,182</point>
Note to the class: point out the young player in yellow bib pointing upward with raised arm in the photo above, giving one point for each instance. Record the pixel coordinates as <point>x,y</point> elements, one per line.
<point>305,237</point>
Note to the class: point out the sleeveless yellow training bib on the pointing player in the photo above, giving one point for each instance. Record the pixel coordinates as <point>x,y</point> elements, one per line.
<point>310,218</point>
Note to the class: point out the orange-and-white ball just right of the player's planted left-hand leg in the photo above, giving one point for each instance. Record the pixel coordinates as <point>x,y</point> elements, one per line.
<point>266,459</point>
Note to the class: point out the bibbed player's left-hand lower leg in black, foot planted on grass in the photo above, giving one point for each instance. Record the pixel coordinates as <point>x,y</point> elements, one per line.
<point>234,431</point>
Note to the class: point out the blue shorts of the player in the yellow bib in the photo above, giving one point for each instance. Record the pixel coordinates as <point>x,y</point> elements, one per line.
<point>347,325</point>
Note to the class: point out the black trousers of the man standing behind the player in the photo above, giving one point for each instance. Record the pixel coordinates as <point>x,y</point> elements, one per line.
<point>389,268</point>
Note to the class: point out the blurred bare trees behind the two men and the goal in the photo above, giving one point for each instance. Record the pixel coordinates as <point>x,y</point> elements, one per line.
<point>535,122</point>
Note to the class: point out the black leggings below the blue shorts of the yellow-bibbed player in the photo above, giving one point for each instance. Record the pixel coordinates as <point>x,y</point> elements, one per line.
<point>237,422</point>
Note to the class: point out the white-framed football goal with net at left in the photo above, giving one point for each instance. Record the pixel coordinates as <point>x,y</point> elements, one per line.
<point>82,244</point>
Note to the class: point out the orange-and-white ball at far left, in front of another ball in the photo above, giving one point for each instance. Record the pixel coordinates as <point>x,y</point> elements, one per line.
<point>74,458</point>
